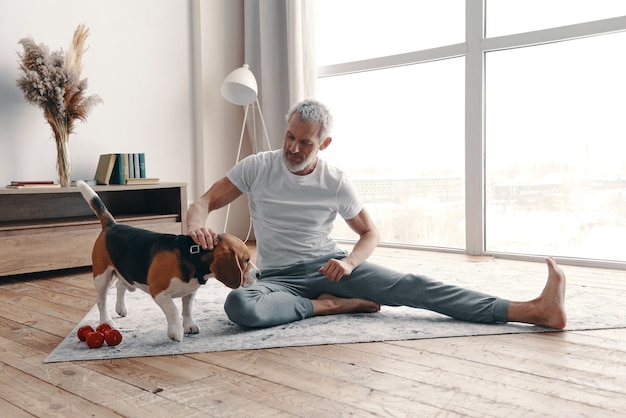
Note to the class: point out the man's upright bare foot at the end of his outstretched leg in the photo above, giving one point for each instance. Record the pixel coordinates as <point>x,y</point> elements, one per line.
<point>549,308</point>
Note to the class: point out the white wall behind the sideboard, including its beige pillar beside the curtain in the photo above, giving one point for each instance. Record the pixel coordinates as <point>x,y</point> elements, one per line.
<point>159,96</point>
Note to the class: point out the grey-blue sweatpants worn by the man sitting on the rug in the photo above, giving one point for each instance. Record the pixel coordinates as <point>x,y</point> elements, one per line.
<point>284,295</point>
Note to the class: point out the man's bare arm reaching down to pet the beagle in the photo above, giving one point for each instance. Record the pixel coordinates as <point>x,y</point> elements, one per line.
<point>219,195</point>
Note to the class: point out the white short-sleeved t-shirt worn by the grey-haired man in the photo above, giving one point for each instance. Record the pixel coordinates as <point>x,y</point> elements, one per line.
<point>293,215</point>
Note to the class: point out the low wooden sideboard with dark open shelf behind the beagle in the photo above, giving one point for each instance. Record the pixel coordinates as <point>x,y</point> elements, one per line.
<point>44,229</point>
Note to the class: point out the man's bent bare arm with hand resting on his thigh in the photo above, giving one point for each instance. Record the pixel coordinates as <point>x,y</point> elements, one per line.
<point>369,237</point>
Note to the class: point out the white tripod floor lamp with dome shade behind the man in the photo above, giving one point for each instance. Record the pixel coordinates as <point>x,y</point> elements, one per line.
<point>240,88</point>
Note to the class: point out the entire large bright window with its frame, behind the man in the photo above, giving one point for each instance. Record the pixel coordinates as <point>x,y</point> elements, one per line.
<point>491,127</point>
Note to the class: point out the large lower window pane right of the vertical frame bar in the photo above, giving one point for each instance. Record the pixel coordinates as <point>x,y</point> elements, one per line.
<point>556,149</point>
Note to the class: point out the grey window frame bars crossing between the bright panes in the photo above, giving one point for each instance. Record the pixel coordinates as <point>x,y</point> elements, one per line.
<point>474,49</point>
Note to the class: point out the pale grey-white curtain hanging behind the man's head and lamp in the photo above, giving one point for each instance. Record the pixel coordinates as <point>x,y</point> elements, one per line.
<point>280,52</point>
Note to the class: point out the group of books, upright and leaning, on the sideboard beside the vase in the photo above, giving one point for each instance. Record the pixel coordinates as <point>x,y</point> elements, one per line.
<point>123,169</point>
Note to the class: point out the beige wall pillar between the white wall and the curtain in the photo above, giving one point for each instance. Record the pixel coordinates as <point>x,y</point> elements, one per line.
<point>219,121</point>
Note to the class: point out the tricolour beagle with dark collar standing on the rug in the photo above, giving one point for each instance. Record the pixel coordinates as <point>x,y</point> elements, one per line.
<point>166,266</point>
